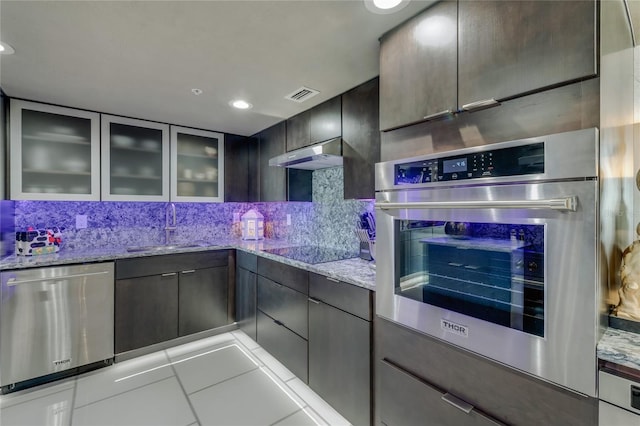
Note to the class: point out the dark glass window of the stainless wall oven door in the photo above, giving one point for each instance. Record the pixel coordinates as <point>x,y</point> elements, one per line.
<point>490,271</point>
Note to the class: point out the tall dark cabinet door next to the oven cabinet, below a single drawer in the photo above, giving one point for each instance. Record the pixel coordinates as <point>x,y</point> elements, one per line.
<point>339,361</point>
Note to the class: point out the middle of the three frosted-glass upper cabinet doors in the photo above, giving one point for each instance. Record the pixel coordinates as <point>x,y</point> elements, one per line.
<point>135,160</point>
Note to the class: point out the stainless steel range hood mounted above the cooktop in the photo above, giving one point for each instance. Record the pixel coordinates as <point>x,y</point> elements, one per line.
<point>319,156</point>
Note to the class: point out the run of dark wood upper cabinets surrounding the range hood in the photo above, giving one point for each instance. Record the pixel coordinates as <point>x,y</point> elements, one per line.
<point>353,115</point>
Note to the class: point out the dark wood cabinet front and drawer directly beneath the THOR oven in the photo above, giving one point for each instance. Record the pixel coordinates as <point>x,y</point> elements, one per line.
<point>414,371</point>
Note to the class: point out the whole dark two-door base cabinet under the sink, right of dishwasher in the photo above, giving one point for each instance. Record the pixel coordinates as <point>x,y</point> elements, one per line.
<point>160,298</point>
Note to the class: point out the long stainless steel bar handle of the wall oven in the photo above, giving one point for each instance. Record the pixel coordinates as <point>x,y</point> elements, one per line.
<point>559,204</point>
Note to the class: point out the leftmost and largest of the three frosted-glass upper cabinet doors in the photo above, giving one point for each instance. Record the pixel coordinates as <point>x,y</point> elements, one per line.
<point>55,153</point>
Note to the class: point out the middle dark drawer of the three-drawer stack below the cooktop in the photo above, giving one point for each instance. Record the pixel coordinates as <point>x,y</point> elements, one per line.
<point>287,306</point>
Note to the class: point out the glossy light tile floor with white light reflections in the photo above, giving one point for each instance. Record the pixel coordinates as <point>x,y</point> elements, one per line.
<point>222,380</point>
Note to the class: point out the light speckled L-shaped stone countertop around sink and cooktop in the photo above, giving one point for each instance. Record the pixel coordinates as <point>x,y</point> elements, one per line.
<point>353,271</point>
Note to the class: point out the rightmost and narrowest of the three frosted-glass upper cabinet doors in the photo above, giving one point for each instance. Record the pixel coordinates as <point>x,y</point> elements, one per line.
<point>197,165</point>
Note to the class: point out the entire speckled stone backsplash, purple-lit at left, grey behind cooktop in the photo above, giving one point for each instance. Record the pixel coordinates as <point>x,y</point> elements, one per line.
<point>327,221</point>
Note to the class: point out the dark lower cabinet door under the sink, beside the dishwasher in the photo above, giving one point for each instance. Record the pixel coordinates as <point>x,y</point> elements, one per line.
<point>146,311</point>
